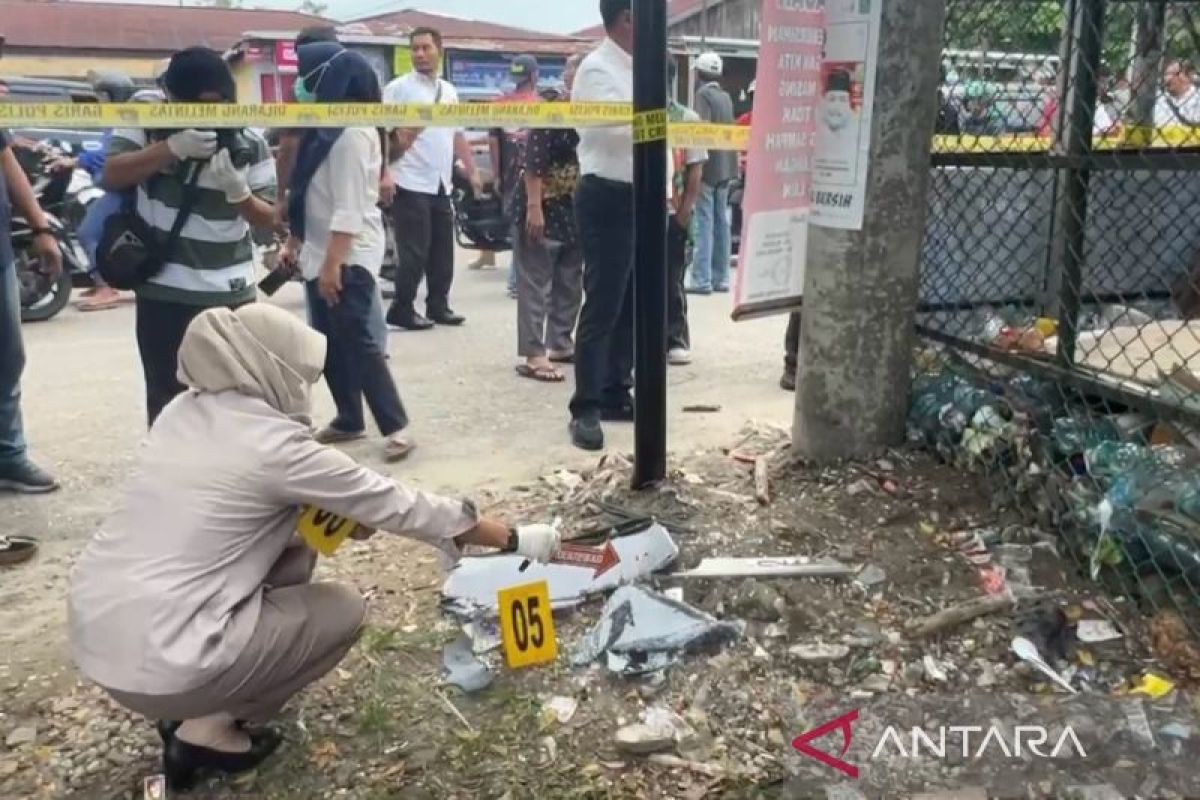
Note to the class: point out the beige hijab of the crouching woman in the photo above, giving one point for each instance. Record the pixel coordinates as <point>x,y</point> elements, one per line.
<point>259,351</point>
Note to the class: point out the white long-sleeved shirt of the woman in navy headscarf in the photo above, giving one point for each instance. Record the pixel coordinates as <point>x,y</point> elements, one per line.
<point>344,197</point>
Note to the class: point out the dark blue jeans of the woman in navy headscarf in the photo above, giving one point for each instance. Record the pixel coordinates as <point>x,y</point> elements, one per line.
<point>355,363</point>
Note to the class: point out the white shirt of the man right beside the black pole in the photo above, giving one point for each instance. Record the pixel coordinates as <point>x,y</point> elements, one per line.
<point>607,76</point>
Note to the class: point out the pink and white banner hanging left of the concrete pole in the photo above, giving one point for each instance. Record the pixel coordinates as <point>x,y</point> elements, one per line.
<point>779,172</point>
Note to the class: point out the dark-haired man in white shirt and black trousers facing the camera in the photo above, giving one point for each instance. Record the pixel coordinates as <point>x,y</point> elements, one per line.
<point>423,169</point>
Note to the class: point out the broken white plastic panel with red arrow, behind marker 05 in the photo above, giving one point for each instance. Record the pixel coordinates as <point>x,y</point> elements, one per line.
<point>476,582</point>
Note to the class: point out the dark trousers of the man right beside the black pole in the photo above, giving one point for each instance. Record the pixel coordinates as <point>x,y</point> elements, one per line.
<point>604,342</point>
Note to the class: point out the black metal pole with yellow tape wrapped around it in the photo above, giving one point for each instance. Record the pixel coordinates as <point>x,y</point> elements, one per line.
<point>650,242</point>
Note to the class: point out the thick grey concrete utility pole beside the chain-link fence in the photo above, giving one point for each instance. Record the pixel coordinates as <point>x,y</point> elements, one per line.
<point>861,286</point>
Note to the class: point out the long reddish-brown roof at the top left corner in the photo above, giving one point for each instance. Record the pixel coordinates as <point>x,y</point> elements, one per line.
<point>131,27</point>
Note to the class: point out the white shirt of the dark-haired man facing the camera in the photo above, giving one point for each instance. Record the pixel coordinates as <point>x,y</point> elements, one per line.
<point>428,167</point>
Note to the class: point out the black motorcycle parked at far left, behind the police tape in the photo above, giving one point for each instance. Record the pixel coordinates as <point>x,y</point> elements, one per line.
<point>64,196</point>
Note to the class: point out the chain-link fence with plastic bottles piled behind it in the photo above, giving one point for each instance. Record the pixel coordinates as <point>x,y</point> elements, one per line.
<point>1061,278</point>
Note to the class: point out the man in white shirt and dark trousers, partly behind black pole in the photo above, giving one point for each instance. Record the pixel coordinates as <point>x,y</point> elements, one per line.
<point>604,342</point>
